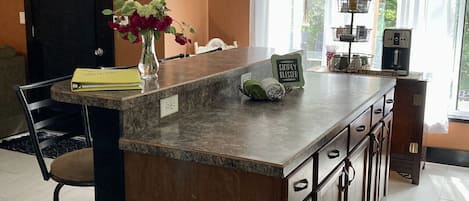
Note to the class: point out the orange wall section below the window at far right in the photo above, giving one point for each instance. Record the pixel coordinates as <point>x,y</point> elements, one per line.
<point>457,137</point>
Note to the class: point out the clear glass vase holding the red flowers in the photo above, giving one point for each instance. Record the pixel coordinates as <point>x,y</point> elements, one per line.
<point>148,64</point>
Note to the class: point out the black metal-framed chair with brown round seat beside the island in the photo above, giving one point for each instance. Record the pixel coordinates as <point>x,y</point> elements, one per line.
<point>57,121</point>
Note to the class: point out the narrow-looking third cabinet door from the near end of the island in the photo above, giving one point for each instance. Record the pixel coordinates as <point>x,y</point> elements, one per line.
<point>374,162</point>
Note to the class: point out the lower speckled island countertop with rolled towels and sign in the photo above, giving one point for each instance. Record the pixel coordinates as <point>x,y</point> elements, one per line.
<point>270,138</point>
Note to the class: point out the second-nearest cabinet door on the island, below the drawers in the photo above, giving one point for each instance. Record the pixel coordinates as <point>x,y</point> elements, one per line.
<point>357,172</point>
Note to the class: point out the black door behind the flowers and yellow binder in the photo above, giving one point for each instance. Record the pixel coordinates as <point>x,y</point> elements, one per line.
<point>63,35</point>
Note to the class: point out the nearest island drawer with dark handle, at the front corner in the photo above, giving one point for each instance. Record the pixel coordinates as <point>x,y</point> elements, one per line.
<point>300,183</point>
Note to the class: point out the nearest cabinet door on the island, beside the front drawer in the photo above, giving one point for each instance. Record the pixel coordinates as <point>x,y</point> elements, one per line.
<point>333,188</point>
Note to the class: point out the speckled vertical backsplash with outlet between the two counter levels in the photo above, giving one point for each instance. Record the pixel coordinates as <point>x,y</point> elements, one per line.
<point>204,94</point>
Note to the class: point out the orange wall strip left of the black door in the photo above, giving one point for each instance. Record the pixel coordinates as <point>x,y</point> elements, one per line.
<point>13,33</point>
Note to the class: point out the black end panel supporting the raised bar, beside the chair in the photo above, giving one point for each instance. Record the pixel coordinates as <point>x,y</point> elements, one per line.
<point>108,158</point>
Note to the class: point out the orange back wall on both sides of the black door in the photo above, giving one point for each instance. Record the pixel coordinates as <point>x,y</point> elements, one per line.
<point>225,19</point>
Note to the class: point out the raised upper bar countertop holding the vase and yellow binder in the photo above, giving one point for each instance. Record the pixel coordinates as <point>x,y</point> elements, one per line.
<point>187,73</point>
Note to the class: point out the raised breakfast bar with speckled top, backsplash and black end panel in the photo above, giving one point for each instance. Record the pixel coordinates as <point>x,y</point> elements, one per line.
<point>199,82</point>
